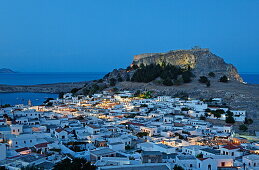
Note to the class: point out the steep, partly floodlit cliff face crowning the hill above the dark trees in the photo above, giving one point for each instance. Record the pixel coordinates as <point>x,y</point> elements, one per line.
<point>202,61</point>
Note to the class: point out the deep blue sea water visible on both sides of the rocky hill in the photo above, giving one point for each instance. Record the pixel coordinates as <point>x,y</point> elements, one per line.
<point>47,78</point>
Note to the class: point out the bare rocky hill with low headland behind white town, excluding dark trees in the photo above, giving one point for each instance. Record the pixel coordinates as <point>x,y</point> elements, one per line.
<point>200,61</point>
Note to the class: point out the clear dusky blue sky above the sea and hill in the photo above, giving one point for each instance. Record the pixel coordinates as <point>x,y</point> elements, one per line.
<point>99,35</point>
